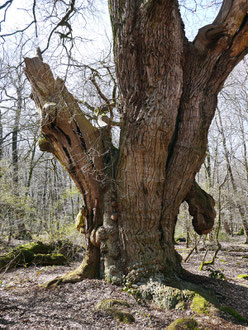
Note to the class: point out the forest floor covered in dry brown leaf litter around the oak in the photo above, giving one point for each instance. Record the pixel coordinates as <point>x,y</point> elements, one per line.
<point>24,304</point>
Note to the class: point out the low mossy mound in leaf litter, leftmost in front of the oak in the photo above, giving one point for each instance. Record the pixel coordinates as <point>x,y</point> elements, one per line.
<point>114,308</point>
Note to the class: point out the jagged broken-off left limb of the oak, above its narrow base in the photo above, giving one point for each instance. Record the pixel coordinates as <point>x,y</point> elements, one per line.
<point>69,135</point>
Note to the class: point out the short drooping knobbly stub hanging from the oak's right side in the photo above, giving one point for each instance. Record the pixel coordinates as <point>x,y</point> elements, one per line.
<point>201,207</point>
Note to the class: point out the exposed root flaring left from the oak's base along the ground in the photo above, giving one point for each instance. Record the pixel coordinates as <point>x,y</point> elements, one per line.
<point>89,268</point>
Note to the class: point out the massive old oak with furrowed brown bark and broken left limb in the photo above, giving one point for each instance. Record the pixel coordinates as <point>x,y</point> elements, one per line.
<point>168,95</point>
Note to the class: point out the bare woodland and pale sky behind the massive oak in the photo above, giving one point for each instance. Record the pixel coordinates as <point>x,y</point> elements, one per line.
<point>37,197</point>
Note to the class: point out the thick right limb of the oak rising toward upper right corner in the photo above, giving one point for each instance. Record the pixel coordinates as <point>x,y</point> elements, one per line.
<point>216,50</point>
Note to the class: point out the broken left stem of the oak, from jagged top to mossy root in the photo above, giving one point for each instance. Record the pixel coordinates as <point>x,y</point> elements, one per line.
<point>80,147</point>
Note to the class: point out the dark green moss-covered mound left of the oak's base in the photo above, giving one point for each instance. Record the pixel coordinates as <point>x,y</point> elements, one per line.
<point>35,253</point>
